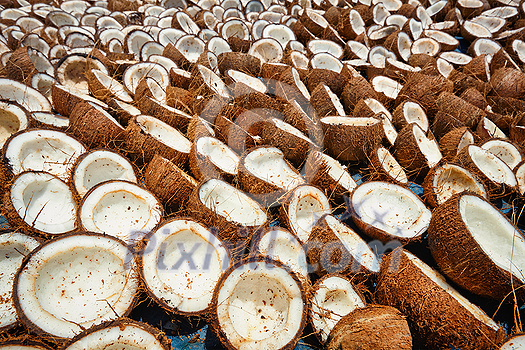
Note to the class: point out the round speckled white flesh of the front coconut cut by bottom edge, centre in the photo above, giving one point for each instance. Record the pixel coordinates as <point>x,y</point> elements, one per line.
<point>260,305</point>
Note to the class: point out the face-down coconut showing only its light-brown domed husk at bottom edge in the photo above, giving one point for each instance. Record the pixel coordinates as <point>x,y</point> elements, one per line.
<point>375,327</point>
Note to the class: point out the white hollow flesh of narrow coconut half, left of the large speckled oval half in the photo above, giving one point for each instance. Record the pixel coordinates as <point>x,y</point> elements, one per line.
<point>306,206</point>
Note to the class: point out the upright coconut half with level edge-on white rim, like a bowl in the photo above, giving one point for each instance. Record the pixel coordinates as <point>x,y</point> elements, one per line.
<point>351,138</point>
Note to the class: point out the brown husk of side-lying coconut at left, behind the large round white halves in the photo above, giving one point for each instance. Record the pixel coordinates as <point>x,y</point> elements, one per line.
<point>94,128</point>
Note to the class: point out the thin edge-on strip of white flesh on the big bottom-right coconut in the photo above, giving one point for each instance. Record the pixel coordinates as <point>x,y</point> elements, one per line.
<point>440,281</point>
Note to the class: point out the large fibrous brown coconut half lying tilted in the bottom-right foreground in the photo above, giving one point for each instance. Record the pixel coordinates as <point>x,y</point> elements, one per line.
<point>438,316</point>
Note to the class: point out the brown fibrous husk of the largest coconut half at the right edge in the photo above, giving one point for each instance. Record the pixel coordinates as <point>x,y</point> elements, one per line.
<point>461,258</point>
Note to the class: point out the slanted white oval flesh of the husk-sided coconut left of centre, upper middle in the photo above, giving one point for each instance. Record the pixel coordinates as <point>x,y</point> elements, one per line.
<point>164,133</point>
